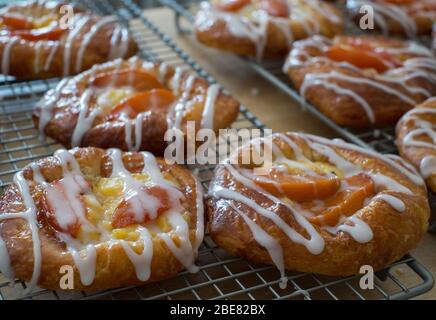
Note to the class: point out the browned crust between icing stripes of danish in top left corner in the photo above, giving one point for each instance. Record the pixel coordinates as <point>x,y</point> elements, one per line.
<point>24,57</point>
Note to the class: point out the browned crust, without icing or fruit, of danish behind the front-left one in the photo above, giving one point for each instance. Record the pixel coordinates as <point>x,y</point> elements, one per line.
<point>106,133</point>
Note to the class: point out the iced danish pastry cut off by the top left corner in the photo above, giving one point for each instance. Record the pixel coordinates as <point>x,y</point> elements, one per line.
<point>34,43</point>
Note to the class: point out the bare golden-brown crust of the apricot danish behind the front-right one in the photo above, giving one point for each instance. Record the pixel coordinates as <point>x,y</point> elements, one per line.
<point>343,109</point>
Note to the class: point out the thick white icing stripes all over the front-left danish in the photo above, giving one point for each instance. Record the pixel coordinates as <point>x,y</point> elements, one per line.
<point>86,258</point>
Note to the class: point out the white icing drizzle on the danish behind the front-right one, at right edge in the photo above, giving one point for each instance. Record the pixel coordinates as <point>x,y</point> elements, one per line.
<point>417,67</point>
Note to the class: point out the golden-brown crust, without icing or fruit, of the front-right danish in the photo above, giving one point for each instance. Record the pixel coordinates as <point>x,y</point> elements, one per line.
<point>394,233</point>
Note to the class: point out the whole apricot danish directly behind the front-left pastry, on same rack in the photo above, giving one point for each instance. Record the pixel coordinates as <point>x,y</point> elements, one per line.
<point>129,105</point>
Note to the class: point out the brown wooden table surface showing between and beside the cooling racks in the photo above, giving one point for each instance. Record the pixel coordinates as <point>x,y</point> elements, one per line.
<point>273,107</point>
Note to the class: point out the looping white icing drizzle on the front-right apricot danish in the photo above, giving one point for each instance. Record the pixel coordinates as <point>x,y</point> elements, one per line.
<point>354,225</point>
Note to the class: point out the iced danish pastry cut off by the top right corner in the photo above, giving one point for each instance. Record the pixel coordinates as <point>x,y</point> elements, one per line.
<point>398,17</point>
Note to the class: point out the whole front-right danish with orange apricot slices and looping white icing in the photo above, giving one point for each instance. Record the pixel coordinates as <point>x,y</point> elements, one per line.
<point>322,206</point>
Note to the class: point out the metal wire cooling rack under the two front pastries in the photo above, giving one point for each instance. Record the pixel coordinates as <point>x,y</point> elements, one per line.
<point>221,276</point>
